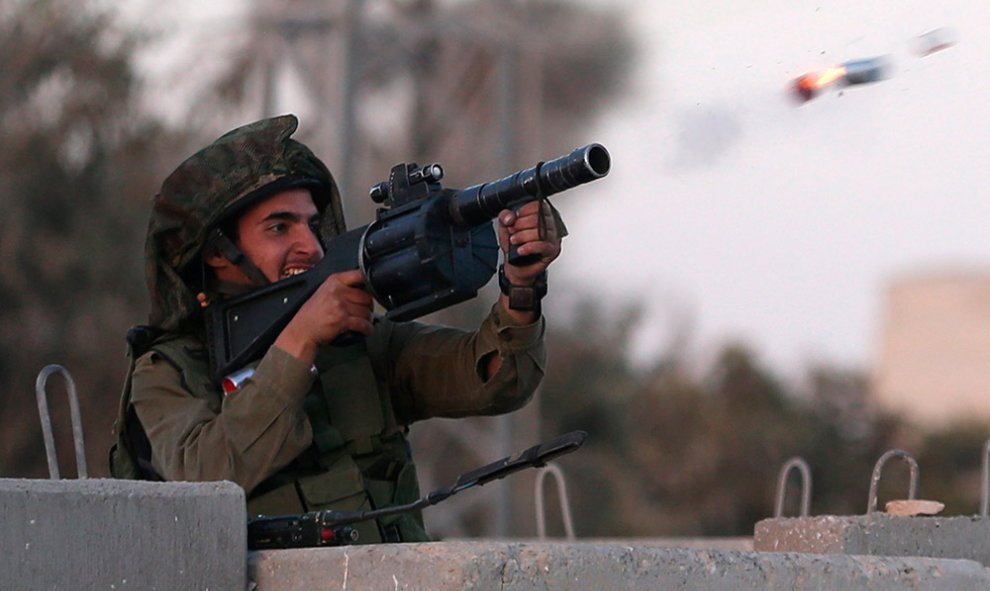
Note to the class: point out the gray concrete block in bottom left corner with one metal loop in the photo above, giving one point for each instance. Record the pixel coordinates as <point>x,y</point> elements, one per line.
<point>116,534</point>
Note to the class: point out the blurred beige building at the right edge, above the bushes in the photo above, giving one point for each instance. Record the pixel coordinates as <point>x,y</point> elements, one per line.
<point>934,359</point>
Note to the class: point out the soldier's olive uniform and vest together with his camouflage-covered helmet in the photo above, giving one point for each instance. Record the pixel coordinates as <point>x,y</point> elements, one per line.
<point>300,438</point>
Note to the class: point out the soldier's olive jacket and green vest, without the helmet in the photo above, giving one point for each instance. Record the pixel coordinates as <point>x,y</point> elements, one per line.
<point>298,443</point>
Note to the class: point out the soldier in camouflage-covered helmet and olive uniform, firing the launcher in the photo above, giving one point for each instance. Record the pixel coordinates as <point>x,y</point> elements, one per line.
<point>315,426</point>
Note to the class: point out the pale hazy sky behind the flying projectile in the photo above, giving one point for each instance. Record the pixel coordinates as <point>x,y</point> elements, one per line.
<point>738,213</point>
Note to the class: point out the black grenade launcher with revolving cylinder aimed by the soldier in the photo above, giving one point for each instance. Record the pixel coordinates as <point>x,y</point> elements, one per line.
<point>428,248</point>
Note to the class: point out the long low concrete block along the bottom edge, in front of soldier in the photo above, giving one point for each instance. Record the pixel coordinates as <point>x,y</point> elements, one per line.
<point>543,566</point>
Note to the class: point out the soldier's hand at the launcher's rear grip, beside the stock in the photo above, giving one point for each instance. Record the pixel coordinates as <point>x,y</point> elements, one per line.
<point>341,304</point>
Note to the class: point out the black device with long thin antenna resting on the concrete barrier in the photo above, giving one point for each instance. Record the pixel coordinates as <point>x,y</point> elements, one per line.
<point>334,528</point>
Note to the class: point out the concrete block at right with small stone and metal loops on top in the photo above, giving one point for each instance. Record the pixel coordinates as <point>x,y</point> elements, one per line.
<point>878,534</point>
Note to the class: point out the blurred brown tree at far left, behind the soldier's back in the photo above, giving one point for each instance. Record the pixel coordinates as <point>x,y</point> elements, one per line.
<point>77,167</point>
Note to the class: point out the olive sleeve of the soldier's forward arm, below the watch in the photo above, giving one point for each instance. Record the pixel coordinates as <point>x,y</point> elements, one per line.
<point>438,370</point>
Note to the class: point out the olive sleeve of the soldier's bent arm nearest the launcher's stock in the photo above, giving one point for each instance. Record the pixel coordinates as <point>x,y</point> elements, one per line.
<point>244,437</point>
